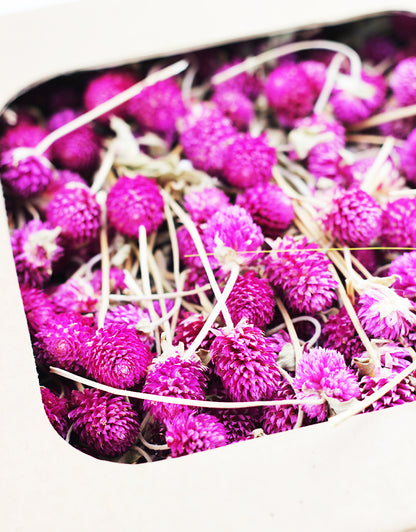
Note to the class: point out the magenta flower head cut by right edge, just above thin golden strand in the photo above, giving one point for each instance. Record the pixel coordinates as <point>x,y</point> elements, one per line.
<point>399,223</point>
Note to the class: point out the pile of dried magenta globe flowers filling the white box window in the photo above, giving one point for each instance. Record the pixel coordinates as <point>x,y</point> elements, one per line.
<point>212,250</point>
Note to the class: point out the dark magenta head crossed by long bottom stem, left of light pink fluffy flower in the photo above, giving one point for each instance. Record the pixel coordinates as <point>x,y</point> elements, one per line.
<point>280,418</point>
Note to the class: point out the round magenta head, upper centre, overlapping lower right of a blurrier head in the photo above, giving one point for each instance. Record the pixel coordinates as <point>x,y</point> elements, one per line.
<point>248,161</point>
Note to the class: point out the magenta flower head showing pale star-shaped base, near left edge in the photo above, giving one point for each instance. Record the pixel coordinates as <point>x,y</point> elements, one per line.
<point>36,248</point>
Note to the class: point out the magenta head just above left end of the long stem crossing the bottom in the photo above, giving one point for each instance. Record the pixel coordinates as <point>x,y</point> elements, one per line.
<point>60,342</point>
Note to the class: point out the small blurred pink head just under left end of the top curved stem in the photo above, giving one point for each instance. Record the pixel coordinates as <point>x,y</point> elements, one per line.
<point>237,107</point>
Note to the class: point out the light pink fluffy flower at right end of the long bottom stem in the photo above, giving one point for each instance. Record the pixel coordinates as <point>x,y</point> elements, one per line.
<point>323,373</point>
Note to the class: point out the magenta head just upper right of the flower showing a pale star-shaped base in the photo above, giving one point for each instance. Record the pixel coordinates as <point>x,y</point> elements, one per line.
<point>76,211</point>
